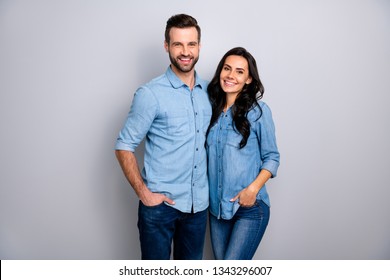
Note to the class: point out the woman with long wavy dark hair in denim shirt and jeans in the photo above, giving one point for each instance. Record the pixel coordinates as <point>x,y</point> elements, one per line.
<point>242,156</point>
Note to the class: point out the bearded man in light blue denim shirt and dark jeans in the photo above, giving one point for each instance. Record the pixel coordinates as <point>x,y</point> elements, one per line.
<point>173,112</point>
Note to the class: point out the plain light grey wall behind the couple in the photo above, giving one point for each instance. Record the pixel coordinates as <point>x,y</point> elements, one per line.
<point>68,71</point>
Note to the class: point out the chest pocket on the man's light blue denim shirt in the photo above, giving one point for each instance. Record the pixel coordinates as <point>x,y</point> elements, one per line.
<point>178,122</point>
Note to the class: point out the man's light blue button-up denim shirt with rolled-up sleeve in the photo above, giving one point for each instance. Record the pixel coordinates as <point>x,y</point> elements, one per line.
<point>174,121</point>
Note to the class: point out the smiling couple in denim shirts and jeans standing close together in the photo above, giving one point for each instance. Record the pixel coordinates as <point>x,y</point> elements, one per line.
<point>209,150</point>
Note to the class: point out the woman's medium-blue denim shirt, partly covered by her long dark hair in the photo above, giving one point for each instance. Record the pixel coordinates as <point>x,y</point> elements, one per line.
<point>232,169</point>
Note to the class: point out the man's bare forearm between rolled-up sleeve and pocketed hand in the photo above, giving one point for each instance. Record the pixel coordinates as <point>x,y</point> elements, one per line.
<point>129,165</point>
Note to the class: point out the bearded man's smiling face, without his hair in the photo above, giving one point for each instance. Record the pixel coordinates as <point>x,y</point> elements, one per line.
<point>183,49</point>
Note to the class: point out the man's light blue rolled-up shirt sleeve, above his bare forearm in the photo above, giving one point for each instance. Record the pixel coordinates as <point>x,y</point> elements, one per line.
<point>142,112</point>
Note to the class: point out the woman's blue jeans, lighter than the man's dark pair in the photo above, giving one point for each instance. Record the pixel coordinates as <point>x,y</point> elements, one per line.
<point>238,238</point>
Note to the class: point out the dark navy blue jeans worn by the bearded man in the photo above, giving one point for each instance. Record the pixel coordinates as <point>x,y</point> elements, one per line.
<point>161,225</point>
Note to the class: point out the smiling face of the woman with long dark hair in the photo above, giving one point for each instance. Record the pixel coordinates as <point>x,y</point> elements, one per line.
<point>234,75</point>
